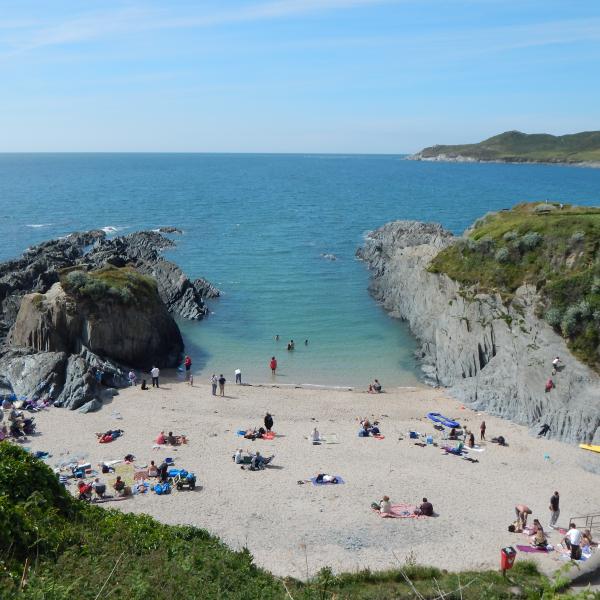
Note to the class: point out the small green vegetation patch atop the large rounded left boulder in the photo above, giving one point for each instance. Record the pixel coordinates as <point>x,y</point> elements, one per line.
<point>120,284</point>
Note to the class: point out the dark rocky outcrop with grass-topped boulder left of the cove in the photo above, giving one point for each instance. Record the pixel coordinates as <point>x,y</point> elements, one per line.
<point>79,312</point>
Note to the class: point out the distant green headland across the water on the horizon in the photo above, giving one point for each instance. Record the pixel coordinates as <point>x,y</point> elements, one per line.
<point>514,146</point>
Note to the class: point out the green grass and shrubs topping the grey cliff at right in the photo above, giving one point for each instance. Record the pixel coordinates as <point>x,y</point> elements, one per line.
<point>556,249</point>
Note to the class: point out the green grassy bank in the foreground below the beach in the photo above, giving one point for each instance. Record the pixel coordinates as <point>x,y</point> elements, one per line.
<point>53,547</point>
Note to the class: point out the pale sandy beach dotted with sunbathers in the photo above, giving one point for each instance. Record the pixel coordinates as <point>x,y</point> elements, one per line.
<point>296,530</point>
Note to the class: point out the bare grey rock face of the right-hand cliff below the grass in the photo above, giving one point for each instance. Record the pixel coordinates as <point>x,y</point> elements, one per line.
<point>493,357</point>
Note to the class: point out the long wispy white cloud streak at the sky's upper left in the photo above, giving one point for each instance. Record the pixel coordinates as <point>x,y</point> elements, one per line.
<point>92,26</point>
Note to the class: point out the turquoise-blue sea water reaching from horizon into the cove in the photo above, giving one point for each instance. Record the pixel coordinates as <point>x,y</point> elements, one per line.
<point>256,226</point>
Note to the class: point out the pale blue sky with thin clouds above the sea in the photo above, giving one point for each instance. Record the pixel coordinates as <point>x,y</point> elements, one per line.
<point>341,76</point>
